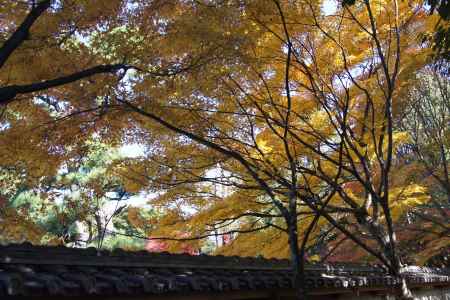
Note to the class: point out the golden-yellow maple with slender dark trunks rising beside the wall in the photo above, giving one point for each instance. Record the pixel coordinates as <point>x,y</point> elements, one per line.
<point>335,156</point>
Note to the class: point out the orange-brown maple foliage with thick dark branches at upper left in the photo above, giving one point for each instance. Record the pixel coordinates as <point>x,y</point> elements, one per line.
<point>78,52</point>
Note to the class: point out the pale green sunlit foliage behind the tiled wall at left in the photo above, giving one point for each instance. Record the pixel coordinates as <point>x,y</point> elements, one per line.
<point>76,196</point>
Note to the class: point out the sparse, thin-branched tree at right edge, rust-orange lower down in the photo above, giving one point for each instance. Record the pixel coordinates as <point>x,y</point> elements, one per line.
<point>426,159</point>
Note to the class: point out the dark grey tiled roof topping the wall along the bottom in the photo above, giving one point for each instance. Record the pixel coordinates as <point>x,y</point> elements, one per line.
<point>35,270</point>
